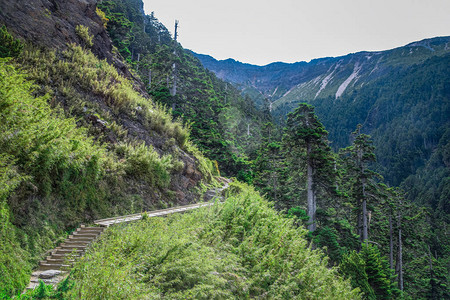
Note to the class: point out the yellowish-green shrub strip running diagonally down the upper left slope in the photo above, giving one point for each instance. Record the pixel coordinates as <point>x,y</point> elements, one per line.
<point>81,69</point>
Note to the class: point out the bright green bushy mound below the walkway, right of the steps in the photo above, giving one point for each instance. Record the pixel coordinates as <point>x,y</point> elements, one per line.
<point>236,250</point>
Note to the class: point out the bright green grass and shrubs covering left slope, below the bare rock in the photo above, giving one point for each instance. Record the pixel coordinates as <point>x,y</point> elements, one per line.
<point>60,172</point>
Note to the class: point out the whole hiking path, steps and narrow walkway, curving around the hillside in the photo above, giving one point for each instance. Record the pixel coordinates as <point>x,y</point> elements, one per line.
<point>55,267</point>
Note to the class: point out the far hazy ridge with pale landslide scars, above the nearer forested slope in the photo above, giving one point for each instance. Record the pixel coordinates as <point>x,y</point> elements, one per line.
<point>285,83</point>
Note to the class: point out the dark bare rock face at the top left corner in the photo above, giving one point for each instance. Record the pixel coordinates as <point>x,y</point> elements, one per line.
<point>50,23</point>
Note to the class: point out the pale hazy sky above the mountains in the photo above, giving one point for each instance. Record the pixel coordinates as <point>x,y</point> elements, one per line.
<point>261,32</point>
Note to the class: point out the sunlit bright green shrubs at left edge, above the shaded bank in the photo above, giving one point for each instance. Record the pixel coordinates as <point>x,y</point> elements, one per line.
<point>43,143</point>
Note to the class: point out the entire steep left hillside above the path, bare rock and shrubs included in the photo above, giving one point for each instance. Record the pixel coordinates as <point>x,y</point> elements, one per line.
<point>81,139</point>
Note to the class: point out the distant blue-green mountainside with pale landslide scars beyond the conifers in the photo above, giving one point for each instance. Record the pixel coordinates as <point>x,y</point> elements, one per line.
<point>400,96</point>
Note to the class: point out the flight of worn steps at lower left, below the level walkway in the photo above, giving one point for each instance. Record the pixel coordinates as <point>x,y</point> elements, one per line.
<point>54,268</point>
